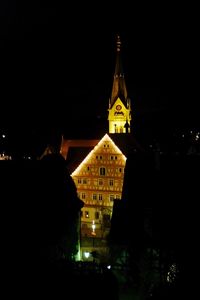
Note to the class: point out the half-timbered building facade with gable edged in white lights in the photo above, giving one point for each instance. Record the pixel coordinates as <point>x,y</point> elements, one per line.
<point>99,182</point>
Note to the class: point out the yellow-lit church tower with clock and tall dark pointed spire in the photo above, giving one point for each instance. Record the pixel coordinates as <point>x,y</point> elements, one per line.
<point>119,111</point>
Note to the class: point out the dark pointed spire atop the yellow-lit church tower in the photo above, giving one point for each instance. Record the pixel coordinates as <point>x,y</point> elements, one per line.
<point>119,85</point>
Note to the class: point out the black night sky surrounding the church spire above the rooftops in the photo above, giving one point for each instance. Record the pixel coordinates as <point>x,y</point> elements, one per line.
<point>55,58</point>
